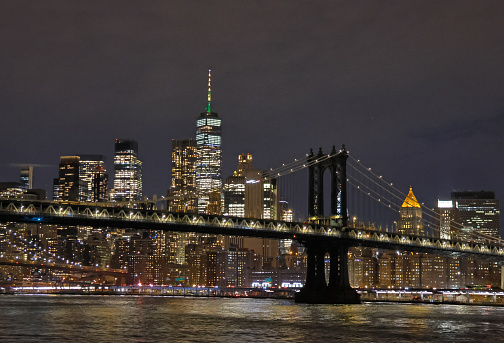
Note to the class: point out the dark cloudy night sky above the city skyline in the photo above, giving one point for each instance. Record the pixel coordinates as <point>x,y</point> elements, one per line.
<point>414,89</point>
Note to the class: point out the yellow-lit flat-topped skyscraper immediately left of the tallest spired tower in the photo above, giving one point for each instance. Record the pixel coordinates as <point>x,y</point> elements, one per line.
<point>182,196</point>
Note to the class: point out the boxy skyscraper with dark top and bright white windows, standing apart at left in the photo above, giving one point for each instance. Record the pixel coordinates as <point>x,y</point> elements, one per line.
<point>127,172</point>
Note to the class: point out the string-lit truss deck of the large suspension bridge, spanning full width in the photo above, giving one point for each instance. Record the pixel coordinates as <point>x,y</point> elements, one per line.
<point>108,215</point>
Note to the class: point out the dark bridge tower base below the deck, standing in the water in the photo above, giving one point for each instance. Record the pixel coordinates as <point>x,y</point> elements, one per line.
<point>316,289</point>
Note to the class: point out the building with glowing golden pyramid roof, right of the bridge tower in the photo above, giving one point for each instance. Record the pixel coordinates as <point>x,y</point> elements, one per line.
<point>410,216</point>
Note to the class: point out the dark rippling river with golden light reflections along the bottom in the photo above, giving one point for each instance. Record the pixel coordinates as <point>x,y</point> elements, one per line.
<point>87,318</point>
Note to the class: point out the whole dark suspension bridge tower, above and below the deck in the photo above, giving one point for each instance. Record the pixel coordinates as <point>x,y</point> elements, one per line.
<point>317,290</point>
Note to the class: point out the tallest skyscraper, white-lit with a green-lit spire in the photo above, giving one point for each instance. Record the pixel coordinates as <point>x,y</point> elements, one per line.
<point>209,153</point>
